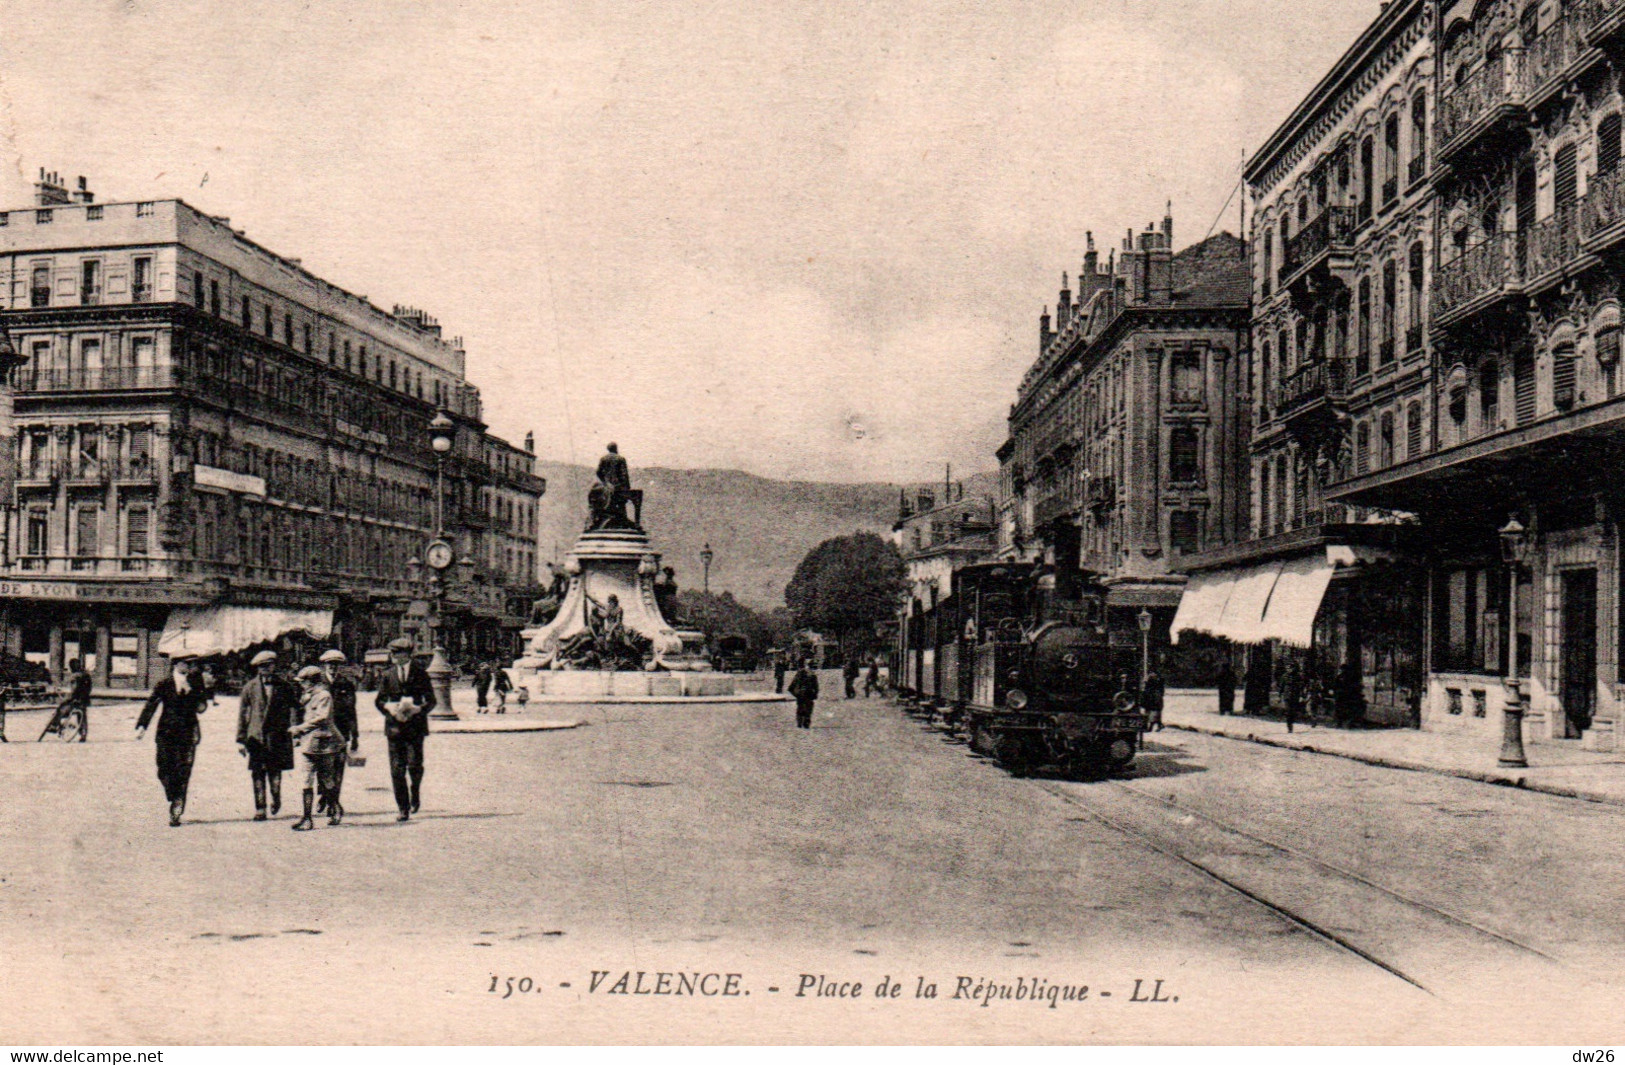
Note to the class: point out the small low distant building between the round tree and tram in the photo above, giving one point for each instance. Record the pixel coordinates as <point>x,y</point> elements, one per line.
<point>935,541</point>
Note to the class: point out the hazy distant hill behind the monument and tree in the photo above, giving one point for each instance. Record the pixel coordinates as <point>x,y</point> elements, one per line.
<point>760,529</point>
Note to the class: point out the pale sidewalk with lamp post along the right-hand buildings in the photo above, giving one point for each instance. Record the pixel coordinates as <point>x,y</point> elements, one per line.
<point>1554,768</point>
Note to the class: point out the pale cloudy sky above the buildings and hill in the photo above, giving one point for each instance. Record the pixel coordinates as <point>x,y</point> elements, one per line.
<point>800,240</point>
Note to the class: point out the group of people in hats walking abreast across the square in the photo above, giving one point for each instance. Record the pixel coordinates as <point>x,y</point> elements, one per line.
<point>308,726</point>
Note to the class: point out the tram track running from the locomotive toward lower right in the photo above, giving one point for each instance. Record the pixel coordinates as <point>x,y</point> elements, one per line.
<point>1413,941</point>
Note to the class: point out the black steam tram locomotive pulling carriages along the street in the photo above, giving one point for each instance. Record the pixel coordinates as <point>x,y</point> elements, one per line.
<point>1036,677</point>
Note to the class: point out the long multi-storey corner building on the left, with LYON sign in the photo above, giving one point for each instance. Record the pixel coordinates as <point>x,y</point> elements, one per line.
<point>212,438</point>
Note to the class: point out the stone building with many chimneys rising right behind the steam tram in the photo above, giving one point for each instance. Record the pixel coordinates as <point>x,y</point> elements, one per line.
<point>1129,438</point>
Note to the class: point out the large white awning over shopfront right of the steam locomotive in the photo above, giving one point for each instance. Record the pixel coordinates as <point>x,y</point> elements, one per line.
<point>1254,604</point>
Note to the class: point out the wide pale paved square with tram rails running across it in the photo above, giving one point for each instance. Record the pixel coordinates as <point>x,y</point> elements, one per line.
<point>719,838</point>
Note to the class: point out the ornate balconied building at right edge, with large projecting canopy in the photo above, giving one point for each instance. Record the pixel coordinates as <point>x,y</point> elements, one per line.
<point>1528,404</point>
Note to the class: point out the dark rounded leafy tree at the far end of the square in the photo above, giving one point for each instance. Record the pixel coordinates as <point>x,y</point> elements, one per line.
<point>846,586</point>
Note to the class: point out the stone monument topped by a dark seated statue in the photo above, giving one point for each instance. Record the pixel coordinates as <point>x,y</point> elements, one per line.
<point>607,635</point>
